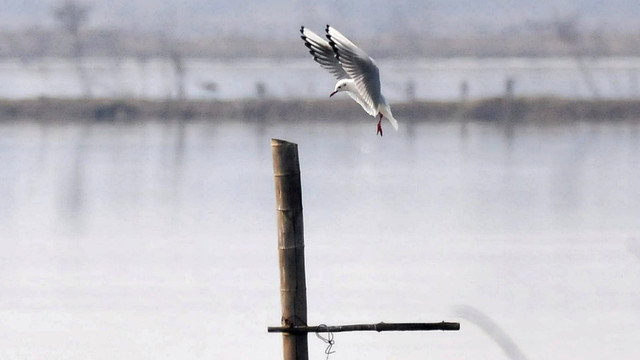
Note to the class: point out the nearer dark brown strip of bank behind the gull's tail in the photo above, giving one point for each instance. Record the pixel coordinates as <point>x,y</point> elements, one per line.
<point>545,110</point>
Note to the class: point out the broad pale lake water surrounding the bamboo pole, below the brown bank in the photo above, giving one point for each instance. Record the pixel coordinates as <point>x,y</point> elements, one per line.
<point>158,239</point>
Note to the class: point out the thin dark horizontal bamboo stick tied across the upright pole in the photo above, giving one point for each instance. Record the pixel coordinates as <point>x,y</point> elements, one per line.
<point>444,326</point>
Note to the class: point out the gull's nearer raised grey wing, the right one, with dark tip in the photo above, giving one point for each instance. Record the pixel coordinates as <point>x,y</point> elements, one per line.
<point>358,65</point>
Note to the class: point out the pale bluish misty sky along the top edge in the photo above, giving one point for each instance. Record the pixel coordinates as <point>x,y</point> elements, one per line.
<point>358,17</point>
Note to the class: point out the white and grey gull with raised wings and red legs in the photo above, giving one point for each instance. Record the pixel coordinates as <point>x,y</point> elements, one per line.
<point>357,73</point>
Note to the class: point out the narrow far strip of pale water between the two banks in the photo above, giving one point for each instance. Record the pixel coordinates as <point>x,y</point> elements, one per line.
<point>402,80</point>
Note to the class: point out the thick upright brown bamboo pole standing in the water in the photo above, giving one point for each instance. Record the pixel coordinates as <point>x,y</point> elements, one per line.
<point>293,292</point>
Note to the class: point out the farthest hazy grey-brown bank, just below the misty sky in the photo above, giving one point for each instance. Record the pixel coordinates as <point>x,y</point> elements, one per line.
<point>548,41</point>
